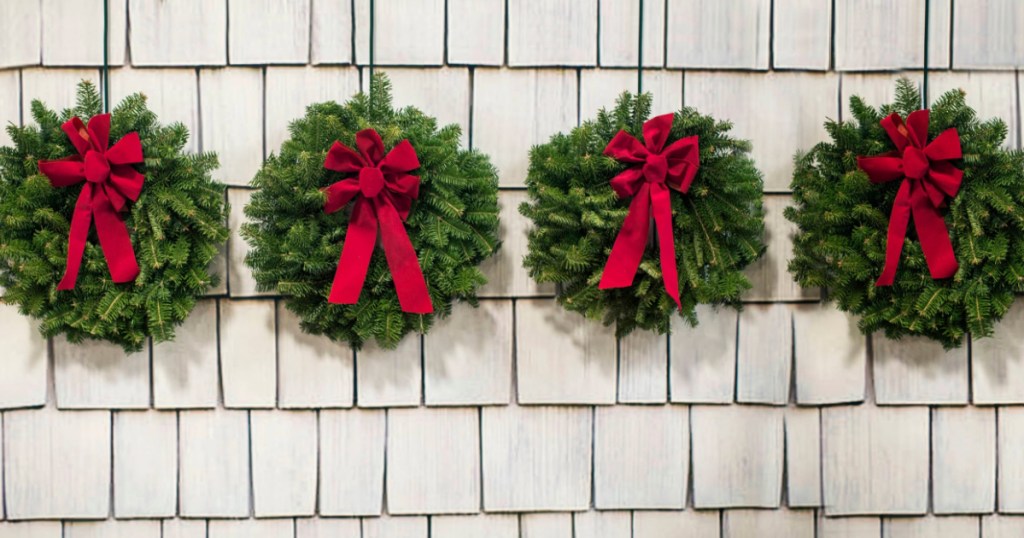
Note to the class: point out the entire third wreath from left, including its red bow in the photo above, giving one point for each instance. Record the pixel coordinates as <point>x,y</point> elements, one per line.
<point>594,192</point>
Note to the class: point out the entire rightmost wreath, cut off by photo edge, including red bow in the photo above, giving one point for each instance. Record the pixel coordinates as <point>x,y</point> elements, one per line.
<point>957,270</point>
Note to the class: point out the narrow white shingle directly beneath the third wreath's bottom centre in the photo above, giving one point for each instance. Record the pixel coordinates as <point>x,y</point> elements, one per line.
<point>644,368</point>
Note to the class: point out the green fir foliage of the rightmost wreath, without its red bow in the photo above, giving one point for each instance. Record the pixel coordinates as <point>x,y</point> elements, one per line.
<point>843,219</point>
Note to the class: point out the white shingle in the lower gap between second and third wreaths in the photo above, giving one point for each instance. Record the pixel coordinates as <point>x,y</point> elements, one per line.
<point>506,276</point>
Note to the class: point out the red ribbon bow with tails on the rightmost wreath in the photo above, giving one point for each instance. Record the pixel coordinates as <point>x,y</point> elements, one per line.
<point>928,179</point>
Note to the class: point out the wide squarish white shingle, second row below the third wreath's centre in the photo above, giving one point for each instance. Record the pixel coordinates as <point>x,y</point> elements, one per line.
<point>642,458</point>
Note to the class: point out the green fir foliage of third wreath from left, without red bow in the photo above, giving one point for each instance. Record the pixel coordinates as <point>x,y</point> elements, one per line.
<point>718,224</point>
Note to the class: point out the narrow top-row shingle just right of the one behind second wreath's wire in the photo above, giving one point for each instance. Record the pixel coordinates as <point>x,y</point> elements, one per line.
<point>477,32</point>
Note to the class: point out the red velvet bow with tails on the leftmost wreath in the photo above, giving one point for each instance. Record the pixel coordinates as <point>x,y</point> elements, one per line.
<point>110,183</point>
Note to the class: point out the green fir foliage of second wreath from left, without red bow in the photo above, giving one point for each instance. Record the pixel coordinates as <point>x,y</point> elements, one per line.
<point>453,224</point>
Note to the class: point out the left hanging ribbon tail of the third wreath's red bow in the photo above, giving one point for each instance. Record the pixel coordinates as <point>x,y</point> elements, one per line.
<point>630,244</point>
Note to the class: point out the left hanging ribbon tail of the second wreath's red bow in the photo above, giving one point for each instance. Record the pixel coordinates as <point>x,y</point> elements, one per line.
<point>356,255</point>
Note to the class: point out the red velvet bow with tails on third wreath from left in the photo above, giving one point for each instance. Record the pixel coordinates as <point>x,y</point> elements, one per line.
<point>655,171</point>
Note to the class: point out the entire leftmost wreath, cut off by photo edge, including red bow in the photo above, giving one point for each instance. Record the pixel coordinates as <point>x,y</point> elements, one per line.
<point>109,229</point>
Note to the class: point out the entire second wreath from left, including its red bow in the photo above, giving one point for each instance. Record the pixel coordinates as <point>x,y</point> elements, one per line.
<point>353,174</point>
